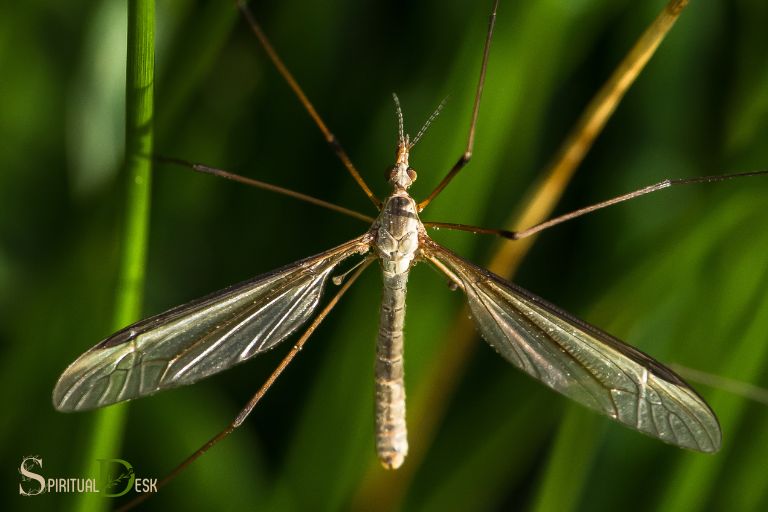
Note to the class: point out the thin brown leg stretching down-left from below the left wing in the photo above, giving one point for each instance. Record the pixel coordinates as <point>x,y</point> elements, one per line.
<point>259,394</point>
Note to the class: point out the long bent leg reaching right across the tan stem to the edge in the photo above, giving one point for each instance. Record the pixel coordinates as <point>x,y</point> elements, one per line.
<point>523,233</point>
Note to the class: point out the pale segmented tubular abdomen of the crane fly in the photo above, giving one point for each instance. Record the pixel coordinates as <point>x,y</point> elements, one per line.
<point>391,431</point>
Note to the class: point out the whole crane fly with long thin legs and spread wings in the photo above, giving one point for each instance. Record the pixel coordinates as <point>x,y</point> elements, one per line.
<point>190,342</point>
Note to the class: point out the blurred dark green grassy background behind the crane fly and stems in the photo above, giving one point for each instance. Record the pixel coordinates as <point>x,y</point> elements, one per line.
<point>681,274</point>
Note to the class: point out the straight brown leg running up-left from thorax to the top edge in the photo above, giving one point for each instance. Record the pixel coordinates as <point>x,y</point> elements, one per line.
<point>330,138</point>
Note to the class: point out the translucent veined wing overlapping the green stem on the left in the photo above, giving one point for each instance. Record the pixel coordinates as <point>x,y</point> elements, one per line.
<point>198,339</point>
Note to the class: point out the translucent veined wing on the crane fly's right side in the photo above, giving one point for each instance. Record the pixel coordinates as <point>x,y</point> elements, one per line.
<point>581,361</point>
